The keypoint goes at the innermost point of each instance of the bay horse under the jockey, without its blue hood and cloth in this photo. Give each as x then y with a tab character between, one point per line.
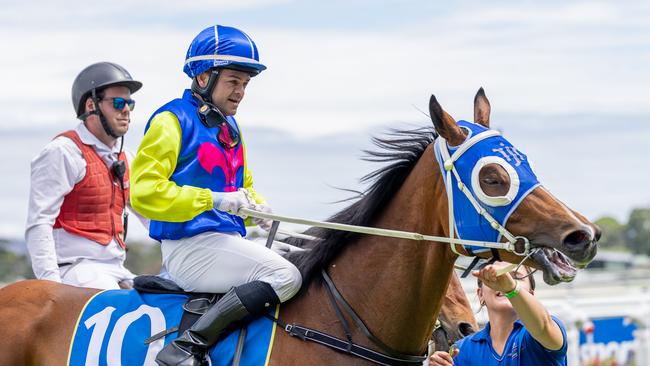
394	285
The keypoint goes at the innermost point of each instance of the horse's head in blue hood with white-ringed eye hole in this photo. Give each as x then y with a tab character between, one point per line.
496	197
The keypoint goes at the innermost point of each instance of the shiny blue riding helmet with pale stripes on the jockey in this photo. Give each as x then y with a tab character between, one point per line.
222	47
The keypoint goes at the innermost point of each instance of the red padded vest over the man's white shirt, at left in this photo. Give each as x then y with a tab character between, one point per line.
95	206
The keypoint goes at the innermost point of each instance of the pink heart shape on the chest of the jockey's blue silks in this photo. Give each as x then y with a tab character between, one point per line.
228	161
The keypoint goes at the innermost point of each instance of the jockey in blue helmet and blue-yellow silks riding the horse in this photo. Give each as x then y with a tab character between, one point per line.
190	178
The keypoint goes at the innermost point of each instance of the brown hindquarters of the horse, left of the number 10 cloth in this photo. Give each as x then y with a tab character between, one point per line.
37	319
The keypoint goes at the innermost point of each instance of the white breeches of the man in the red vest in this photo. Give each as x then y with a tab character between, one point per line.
102	274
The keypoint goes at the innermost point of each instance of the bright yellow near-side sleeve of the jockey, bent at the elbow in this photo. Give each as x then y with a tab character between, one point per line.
152	193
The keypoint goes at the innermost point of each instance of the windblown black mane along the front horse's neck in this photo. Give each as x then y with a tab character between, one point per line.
401	149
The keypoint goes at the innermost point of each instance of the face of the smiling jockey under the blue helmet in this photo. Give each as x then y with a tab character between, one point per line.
229	91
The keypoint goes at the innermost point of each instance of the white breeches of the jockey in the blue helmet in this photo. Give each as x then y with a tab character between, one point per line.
214	262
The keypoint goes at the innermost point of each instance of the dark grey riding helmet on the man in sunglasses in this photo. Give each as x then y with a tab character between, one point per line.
96	76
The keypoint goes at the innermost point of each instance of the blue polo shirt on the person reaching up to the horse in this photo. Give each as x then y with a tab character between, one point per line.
521	349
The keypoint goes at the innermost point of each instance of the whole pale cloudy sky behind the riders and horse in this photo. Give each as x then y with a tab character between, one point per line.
568	83
